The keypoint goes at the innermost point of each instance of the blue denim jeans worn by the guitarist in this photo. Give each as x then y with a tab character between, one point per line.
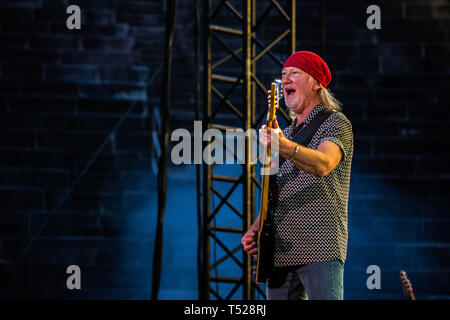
313	281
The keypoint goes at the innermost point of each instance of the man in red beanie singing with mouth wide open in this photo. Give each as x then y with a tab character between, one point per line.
309	202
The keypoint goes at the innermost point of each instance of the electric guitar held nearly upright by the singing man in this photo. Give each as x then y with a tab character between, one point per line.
266	232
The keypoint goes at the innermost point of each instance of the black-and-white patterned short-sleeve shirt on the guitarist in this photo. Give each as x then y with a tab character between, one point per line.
310	213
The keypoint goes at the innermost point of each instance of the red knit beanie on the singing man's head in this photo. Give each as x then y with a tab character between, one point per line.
312	64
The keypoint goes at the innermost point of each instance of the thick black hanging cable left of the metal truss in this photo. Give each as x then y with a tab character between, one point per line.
164	141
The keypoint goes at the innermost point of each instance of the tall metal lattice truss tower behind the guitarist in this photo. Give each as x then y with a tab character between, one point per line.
236	34
